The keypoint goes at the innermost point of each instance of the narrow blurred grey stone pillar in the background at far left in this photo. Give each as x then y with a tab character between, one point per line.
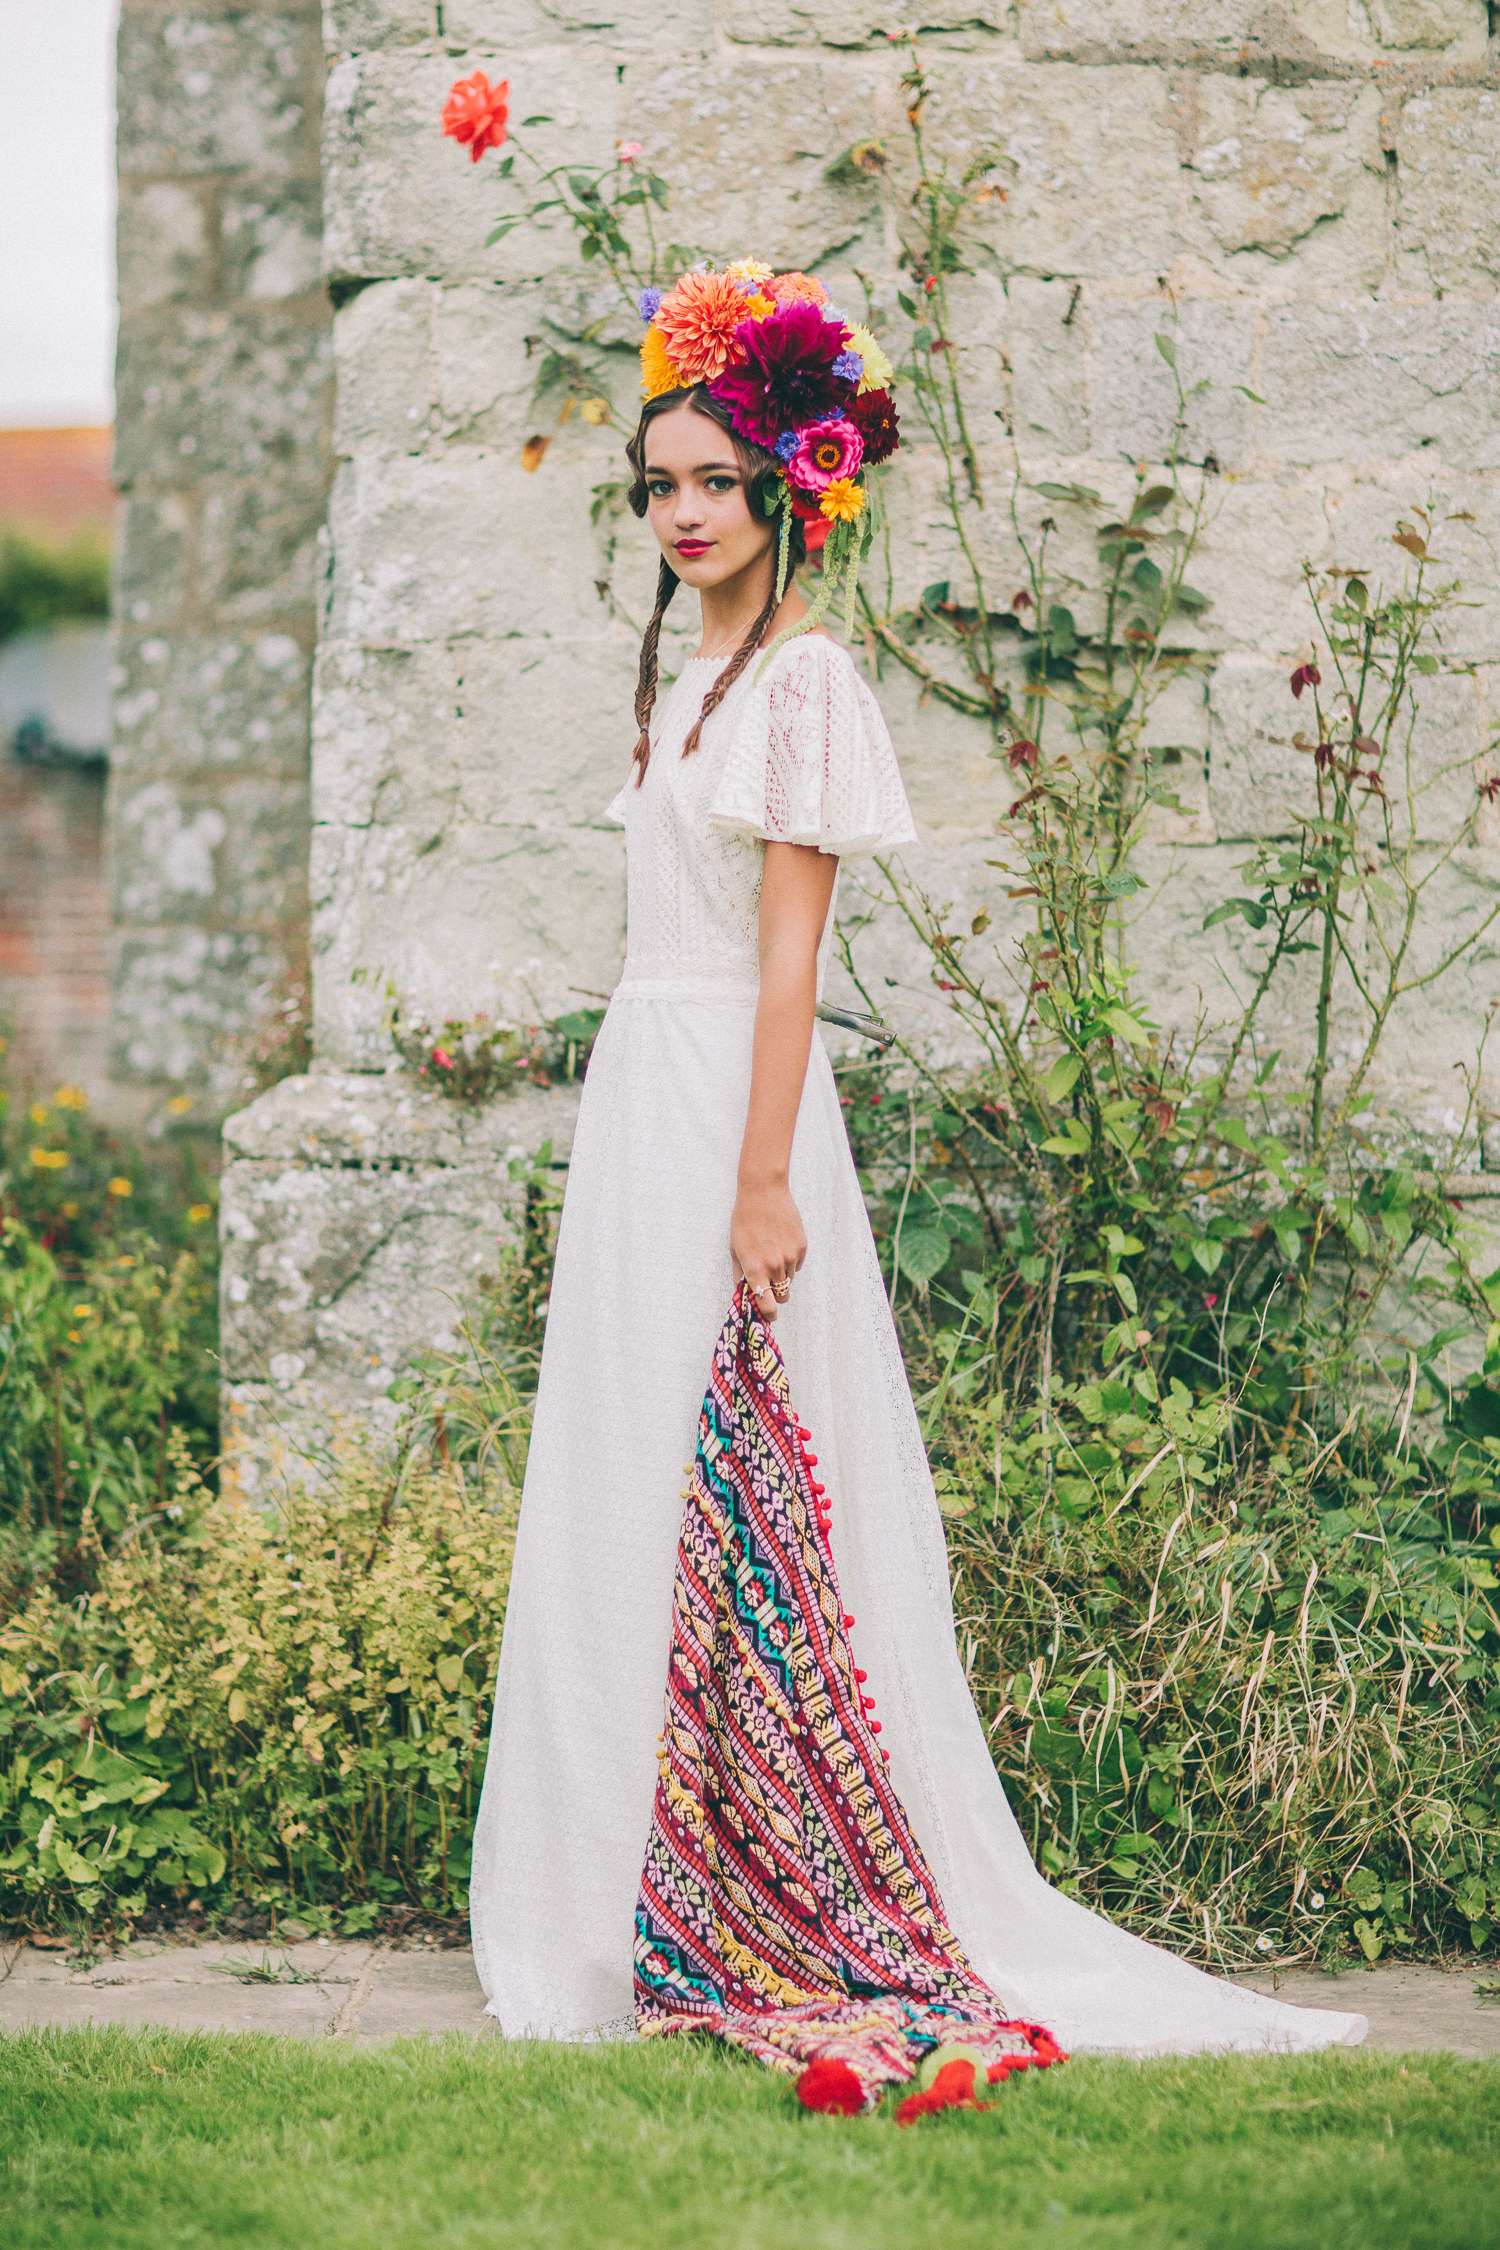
222	456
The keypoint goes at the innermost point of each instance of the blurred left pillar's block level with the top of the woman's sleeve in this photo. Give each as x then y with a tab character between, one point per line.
195	705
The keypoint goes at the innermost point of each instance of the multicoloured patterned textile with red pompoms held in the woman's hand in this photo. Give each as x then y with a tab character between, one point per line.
786	1905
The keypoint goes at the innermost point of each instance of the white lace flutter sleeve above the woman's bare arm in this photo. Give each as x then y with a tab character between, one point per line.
811	759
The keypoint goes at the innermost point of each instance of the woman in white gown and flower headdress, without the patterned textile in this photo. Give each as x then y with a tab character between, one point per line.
712	1160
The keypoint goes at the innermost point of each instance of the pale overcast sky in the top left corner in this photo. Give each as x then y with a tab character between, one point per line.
57	213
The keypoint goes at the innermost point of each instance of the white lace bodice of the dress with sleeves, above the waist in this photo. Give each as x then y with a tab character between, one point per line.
799	755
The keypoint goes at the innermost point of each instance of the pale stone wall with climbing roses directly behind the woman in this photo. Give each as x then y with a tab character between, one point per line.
1305	190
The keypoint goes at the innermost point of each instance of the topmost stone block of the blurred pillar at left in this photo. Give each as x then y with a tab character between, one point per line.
219	93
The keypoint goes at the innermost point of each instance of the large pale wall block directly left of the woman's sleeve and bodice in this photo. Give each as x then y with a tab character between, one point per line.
473	730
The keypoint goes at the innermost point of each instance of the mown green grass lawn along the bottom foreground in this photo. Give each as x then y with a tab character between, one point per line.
114	2141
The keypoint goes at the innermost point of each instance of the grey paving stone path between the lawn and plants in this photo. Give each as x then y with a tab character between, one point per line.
370	1992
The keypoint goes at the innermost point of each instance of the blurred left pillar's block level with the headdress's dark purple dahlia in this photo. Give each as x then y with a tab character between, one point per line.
213	390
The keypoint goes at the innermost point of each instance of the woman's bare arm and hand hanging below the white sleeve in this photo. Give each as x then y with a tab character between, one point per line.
766	1232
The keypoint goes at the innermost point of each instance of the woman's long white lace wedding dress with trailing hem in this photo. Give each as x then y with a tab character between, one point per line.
642	1286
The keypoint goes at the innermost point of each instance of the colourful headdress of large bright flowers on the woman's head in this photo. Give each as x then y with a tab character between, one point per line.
799	379
